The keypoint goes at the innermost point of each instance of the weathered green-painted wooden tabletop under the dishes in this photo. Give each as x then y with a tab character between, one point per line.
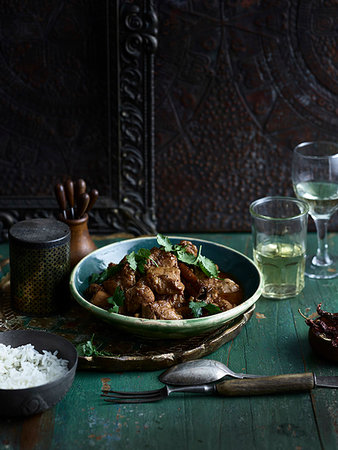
273	342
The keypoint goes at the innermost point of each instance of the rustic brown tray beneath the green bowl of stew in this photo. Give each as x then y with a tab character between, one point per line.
128	353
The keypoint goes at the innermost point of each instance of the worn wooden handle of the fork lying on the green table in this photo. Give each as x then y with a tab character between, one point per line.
267	385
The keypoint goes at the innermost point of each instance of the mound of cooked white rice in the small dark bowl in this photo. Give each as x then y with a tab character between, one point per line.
24	367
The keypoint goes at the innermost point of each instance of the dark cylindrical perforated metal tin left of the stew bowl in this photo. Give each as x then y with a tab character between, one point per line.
39	266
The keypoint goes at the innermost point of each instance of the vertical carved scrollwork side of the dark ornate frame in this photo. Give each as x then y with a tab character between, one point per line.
138	44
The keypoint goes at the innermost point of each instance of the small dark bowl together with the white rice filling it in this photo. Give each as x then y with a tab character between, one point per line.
37	369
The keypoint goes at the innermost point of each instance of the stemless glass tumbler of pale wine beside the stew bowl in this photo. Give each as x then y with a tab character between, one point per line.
279	228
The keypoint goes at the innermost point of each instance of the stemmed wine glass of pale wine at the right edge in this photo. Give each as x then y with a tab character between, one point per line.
315	180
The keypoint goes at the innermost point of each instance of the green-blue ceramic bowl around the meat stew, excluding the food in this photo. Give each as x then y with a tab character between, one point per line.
243	269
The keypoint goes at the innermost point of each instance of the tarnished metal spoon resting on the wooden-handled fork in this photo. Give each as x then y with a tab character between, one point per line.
199	371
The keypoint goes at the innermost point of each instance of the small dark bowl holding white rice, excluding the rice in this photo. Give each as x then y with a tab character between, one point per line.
34	400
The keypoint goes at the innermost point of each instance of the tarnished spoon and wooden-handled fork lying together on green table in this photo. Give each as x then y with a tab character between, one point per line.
209	378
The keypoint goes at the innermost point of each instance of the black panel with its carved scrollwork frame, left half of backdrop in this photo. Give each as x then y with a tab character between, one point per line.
76	89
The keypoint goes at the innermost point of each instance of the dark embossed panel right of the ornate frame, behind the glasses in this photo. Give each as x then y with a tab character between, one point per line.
238	85
